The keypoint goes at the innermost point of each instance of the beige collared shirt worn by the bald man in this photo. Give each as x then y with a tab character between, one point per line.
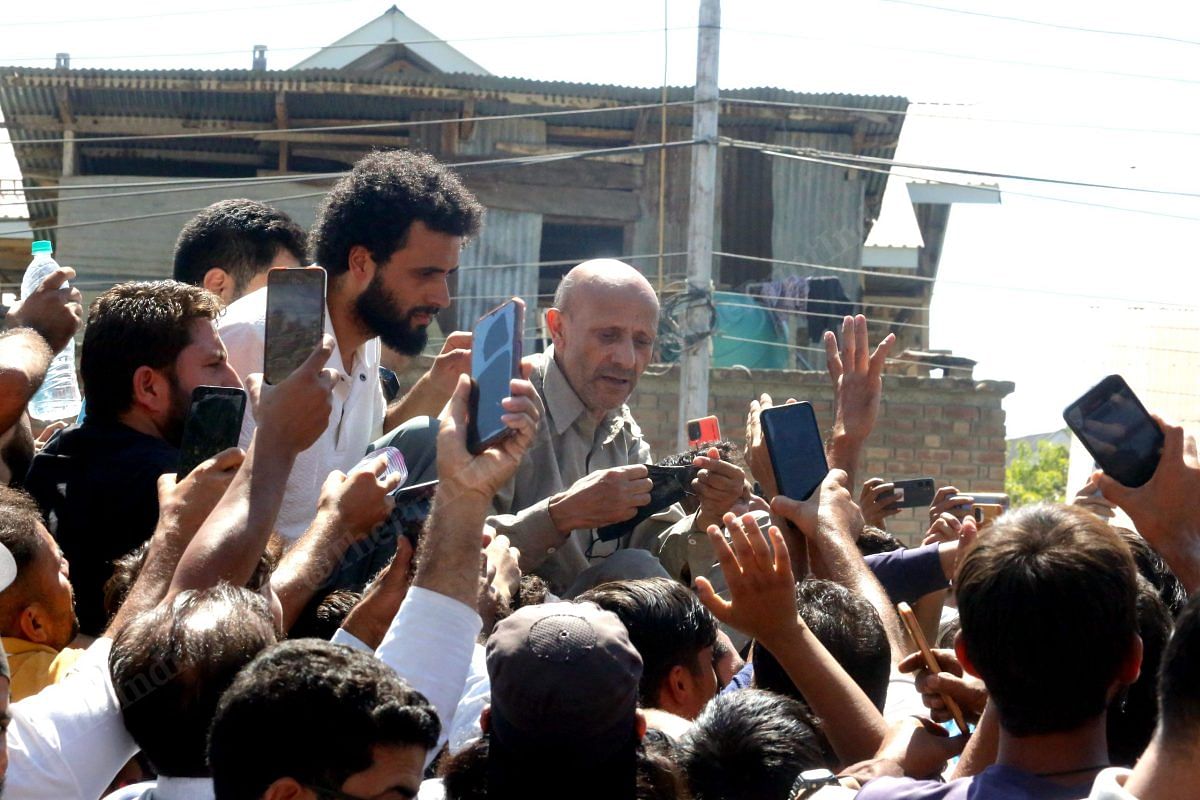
569	446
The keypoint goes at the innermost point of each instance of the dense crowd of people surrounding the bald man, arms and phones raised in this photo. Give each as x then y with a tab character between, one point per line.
218	634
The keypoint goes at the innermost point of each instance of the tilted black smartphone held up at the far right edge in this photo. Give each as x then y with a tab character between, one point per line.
1118	430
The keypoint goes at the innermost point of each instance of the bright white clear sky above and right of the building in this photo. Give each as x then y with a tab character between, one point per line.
1029	288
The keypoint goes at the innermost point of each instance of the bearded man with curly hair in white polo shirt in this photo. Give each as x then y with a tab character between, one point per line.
388	237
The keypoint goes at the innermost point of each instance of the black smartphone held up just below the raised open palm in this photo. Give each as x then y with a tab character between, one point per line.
796	449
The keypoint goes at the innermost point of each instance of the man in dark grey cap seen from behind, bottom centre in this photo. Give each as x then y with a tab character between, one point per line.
565	717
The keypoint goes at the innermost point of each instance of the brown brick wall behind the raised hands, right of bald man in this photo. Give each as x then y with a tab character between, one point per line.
950	429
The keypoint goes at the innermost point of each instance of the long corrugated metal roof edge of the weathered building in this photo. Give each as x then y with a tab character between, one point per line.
249	97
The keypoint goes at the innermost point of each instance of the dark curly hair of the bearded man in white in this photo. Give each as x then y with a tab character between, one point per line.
379	202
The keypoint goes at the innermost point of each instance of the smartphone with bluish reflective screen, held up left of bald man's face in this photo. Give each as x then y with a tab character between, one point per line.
495	363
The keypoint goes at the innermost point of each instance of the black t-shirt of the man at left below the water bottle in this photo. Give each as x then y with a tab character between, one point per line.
98	488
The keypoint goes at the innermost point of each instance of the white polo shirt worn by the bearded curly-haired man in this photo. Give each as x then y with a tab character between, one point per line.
355	423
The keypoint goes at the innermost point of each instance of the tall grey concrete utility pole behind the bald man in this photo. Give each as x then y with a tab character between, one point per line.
694	362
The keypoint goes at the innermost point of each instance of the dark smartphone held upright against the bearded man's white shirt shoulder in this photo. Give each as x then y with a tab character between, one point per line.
296	320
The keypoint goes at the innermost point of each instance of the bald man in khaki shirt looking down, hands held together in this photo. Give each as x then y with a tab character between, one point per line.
587	466
